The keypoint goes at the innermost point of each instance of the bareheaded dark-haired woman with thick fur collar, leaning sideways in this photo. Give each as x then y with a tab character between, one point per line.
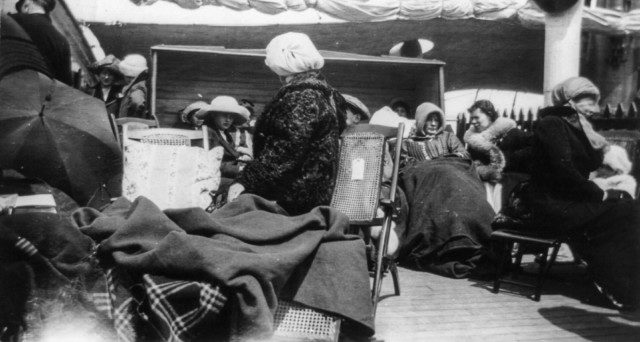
496	146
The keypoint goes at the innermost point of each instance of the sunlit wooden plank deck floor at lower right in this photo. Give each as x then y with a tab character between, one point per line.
435	308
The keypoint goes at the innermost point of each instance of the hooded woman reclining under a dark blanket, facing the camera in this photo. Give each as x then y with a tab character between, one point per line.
449	222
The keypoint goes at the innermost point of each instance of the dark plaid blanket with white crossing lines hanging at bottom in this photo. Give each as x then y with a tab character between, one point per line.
157	308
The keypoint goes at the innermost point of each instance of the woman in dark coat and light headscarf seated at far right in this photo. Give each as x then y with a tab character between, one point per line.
561	197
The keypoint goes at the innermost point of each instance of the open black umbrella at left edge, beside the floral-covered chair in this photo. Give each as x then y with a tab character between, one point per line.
58	134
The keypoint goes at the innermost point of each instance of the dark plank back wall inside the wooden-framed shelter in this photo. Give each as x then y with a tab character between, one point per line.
187	77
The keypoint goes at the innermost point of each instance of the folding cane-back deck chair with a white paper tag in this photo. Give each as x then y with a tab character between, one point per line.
357	193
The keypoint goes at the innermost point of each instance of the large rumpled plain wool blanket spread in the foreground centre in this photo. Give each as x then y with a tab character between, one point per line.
251	247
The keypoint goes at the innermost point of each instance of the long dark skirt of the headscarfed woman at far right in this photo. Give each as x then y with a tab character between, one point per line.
605	234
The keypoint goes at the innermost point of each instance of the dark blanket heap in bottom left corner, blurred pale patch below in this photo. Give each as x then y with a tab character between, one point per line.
47	276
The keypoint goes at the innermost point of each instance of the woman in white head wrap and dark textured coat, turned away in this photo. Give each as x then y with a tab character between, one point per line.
296	138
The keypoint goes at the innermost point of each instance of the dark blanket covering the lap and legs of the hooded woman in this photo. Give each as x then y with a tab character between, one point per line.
449	221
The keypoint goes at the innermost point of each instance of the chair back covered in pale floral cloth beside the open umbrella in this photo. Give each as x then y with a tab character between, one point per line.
162	165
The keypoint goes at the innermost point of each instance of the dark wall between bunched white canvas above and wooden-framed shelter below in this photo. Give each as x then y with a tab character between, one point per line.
478	53
